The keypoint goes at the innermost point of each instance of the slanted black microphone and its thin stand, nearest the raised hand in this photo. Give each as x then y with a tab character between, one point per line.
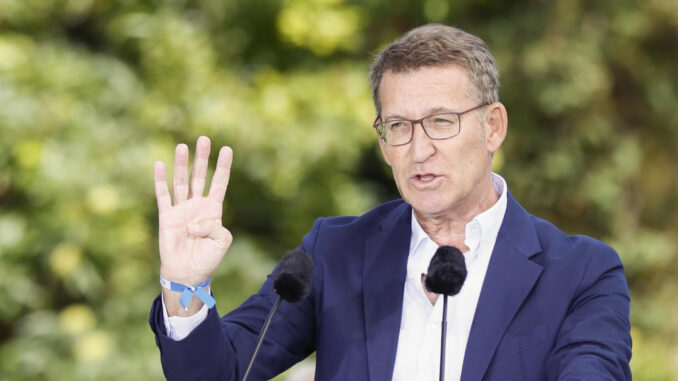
292	283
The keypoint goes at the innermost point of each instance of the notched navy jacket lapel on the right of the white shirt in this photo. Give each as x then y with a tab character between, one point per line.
510	277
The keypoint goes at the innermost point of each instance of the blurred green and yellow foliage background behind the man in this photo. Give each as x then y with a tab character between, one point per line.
92	92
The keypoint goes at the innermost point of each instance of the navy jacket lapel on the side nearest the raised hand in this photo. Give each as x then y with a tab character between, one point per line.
384	272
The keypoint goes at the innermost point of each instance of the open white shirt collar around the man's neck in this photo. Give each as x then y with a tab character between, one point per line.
484	227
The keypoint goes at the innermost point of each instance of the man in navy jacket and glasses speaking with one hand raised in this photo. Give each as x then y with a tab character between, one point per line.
536	304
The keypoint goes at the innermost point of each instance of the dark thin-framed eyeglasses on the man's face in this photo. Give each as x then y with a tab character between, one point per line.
437	127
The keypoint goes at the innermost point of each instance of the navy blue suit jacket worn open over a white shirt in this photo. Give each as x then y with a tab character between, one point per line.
552	307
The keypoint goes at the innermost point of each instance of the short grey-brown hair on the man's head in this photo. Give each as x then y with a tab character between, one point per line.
439	45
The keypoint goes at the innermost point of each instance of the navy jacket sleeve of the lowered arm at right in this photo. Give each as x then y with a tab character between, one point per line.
594	342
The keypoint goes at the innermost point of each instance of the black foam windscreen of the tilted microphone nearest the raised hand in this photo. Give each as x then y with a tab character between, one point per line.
293	279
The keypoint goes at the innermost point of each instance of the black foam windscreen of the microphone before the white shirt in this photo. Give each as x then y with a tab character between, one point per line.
446	272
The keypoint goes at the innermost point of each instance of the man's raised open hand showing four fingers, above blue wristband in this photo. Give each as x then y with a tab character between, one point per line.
192	239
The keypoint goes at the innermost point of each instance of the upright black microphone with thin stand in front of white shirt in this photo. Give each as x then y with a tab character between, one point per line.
446	276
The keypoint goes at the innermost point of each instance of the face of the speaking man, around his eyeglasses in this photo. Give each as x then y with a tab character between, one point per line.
438	177
